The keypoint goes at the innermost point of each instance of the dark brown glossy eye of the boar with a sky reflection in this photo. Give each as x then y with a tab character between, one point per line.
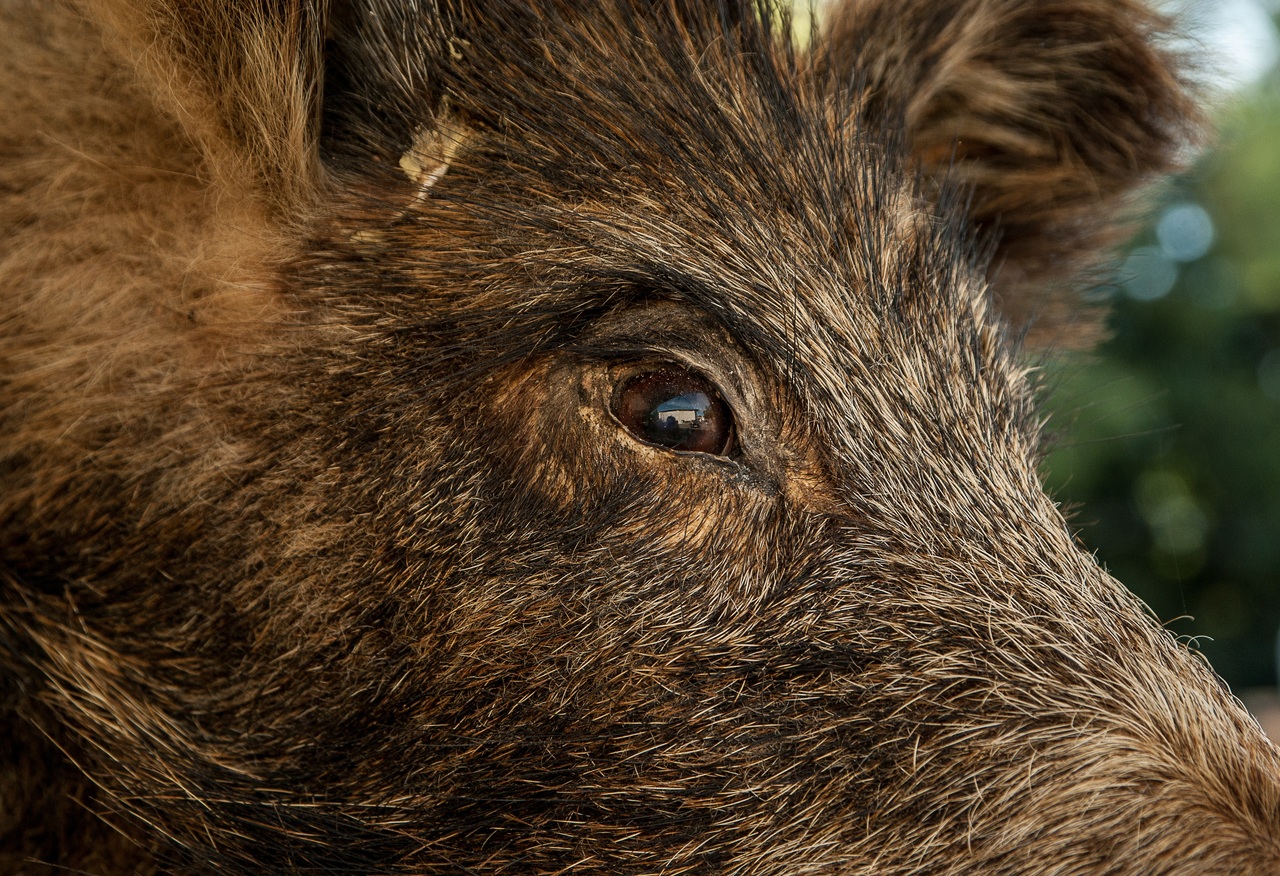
675	409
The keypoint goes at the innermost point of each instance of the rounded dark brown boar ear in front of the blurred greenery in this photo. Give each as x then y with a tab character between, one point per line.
1054	113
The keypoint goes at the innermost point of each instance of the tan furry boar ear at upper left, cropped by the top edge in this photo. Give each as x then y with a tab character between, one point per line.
241	77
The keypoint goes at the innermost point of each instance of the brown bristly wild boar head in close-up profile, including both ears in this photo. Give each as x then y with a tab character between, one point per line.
559	437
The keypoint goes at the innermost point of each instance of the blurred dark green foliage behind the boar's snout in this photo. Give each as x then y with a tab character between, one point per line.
1171	434
